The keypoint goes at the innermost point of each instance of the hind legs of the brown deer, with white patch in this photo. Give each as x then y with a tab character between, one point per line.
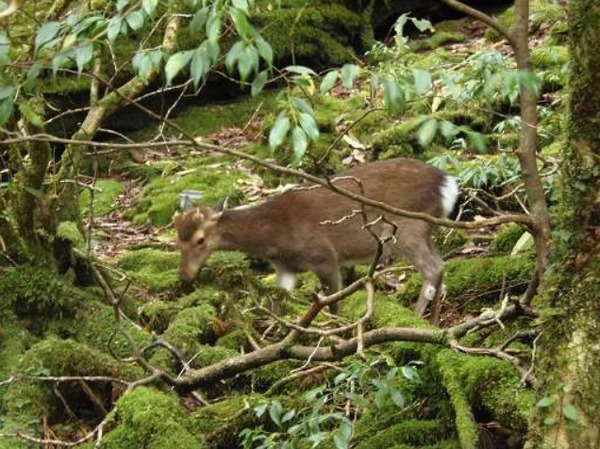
418	249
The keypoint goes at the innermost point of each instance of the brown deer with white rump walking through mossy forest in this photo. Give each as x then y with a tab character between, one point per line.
311	228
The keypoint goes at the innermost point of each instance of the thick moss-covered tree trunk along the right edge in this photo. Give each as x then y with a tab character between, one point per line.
569	360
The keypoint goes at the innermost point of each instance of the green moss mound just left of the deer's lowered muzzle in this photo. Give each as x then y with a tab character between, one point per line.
156	270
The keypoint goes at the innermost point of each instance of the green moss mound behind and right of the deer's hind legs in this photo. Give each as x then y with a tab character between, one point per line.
478	278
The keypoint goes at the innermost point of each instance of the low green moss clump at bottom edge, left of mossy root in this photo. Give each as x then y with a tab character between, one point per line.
411	432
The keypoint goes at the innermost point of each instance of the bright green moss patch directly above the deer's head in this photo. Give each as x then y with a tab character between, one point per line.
160	198
